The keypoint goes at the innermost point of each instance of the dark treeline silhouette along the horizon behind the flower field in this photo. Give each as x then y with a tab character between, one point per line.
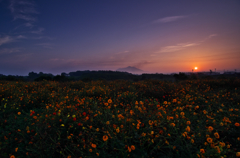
87	76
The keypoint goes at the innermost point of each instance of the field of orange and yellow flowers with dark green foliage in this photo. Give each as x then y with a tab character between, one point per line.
198	118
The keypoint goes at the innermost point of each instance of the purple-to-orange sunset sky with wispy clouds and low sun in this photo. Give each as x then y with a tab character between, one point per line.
156	36
